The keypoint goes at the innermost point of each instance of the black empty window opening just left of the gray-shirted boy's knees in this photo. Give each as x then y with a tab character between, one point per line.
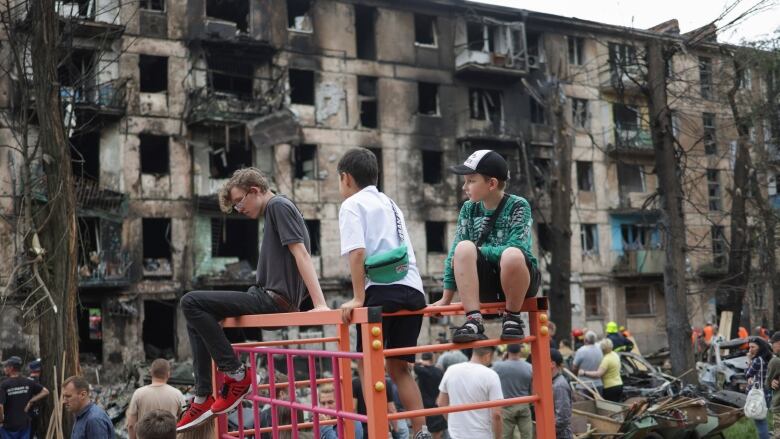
159	329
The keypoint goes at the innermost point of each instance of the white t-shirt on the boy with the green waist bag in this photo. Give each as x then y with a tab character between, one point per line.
366	220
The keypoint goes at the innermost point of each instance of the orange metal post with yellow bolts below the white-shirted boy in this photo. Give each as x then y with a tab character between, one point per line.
374	387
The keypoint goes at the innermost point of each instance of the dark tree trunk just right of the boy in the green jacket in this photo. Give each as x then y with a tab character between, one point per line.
560	228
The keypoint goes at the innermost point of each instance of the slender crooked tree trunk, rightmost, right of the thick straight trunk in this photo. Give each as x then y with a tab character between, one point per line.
730	294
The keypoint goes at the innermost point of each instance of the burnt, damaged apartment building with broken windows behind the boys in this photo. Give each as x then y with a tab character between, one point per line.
181	93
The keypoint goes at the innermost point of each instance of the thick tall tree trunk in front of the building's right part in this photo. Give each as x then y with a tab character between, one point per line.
670	189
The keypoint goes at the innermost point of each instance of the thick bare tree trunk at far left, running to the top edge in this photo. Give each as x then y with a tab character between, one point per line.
56	220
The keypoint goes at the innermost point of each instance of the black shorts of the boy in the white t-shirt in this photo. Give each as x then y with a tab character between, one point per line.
401	331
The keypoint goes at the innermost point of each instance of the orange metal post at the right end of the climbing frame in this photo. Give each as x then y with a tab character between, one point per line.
542	382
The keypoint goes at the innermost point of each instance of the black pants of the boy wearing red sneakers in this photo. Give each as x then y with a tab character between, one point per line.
203	311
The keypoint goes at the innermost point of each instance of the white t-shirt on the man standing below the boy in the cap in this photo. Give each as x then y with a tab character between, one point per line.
467	383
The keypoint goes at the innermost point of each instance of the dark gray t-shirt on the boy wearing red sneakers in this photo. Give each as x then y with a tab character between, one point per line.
276	267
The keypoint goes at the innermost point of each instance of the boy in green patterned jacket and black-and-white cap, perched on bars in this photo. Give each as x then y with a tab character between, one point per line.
495	266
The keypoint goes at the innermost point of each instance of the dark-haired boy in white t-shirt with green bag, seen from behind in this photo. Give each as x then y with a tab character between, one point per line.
369	223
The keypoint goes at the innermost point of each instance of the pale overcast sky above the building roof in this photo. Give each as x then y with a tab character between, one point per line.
646	13
